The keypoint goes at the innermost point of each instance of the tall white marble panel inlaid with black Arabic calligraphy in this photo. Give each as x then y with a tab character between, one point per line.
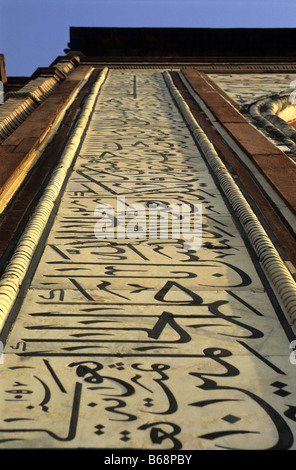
135	341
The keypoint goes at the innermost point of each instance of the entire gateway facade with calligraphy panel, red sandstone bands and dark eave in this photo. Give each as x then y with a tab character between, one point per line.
137	342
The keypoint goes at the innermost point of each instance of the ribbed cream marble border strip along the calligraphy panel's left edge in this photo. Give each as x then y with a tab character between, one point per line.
16	270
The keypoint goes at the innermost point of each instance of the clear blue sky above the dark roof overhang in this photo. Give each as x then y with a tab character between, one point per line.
34	32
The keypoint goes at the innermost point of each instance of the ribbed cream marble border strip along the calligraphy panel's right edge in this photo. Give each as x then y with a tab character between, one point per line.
274	267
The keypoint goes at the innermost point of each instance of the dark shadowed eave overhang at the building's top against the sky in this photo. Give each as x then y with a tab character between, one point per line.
176	45
